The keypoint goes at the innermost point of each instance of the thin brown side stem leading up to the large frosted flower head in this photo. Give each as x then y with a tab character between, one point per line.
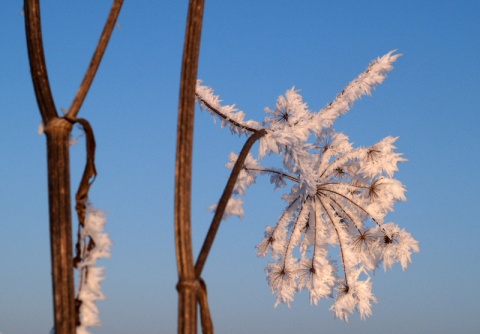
222	204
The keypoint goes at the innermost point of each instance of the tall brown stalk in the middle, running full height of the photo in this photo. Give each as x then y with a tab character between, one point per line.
188	285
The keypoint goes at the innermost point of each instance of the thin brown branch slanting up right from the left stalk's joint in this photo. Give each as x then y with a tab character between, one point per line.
96	59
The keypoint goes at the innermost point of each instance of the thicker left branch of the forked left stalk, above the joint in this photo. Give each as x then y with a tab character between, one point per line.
38	68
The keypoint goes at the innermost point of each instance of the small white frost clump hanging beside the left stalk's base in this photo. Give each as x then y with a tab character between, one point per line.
95	244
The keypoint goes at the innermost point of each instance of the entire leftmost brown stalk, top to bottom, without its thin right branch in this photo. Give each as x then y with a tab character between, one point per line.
58	135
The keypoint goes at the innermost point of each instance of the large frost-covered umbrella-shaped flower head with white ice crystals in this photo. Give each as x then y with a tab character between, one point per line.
339	198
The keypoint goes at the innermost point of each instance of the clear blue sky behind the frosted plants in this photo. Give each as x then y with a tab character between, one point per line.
252	51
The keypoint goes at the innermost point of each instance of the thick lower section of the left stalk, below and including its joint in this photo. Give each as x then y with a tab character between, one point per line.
58	136
